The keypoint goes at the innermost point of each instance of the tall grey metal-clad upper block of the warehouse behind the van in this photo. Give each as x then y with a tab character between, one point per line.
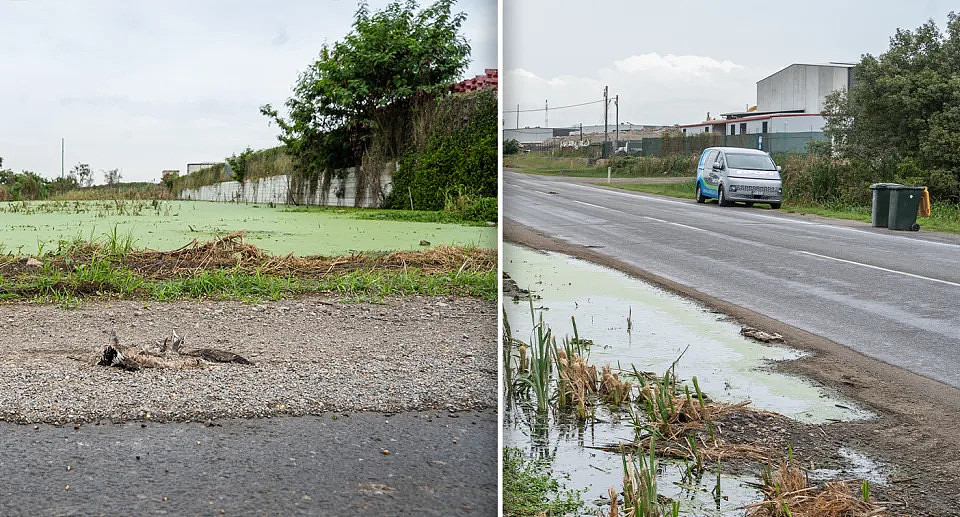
800	87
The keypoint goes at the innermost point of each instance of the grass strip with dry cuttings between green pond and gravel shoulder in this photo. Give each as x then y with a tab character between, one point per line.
102	278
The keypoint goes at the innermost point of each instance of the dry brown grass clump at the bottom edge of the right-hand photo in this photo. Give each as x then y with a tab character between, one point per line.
787	494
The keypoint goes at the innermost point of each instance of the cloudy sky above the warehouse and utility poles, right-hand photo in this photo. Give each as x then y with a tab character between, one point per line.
671	62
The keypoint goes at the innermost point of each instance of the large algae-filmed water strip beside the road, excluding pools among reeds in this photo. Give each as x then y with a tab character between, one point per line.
730	368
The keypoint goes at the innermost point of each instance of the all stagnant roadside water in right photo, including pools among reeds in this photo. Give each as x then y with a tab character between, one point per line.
729	368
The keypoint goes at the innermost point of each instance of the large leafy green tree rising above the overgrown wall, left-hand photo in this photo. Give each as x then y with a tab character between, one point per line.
367	83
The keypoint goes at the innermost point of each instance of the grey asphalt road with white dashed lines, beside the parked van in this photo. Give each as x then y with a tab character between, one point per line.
894	296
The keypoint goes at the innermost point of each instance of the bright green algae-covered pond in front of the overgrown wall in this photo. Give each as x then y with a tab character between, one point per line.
168	225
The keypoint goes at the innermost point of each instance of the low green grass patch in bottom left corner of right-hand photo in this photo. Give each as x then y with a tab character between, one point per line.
529	488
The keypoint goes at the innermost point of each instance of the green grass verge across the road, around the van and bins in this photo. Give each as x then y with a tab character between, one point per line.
945	217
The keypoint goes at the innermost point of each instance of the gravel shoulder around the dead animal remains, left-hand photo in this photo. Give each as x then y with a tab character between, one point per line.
311	355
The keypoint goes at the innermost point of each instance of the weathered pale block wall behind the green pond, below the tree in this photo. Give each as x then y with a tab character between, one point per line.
278	189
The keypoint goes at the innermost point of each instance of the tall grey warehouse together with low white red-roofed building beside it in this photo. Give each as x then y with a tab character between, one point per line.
788	101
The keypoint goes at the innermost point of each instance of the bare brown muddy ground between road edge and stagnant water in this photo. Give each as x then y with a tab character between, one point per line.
915	434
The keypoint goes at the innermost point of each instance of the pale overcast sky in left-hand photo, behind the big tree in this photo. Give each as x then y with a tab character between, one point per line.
144	85
